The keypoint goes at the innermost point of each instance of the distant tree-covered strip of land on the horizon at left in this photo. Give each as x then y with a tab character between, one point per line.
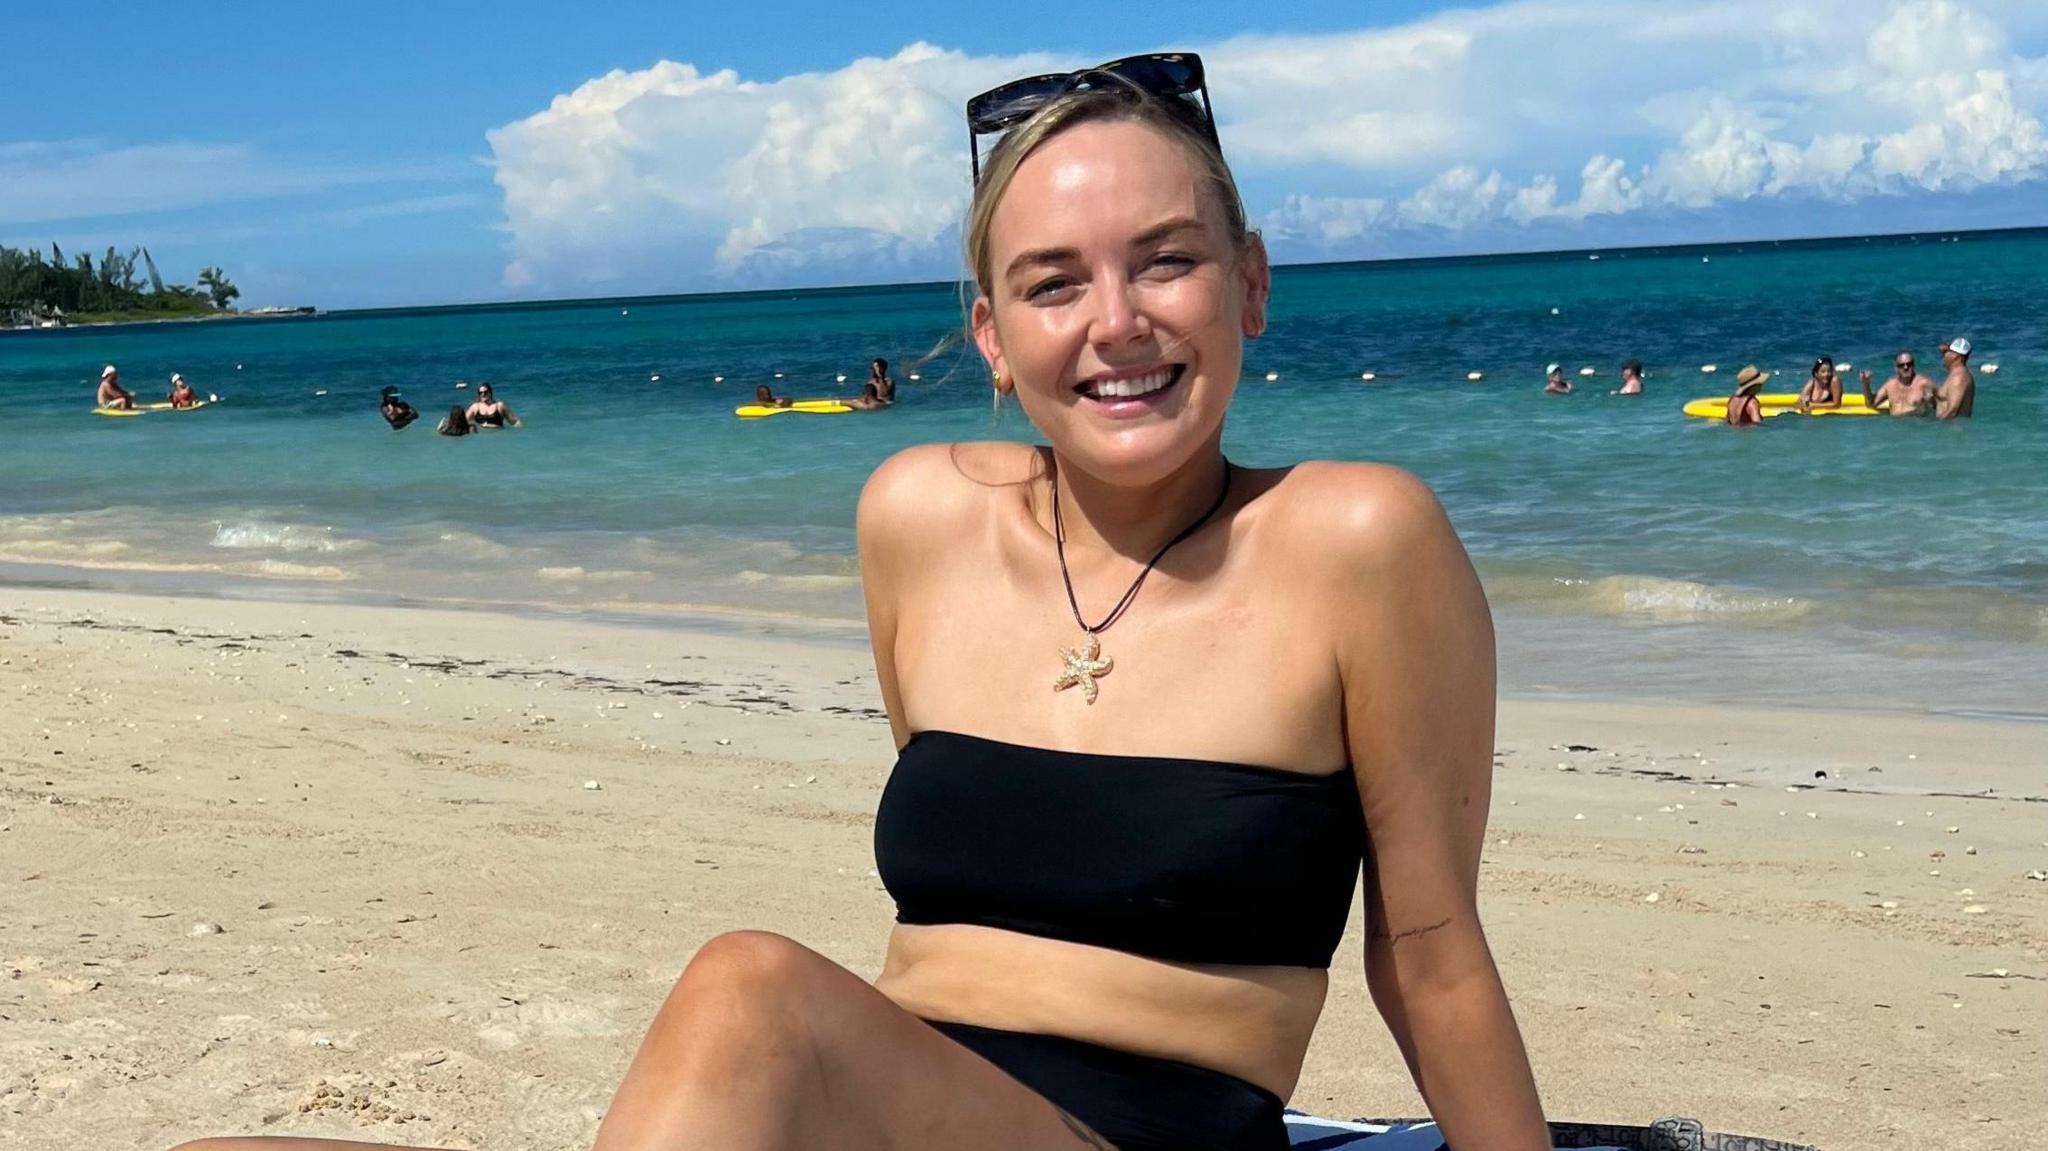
116	290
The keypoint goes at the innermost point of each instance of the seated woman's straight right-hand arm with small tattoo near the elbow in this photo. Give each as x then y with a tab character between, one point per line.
1418	695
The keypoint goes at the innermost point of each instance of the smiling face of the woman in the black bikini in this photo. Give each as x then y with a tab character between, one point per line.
1119	304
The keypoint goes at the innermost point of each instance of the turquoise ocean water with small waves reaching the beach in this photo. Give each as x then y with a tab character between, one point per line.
1627	550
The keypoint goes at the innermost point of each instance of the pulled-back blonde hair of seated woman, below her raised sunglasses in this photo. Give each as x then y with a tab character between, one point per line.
1097	105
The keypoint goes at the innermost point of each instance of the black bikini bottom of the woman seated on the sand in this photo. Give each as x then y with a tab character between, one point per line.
1134	1101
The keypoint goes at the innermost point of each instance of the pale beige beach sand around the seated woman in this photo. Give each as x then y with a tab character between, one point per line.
419	876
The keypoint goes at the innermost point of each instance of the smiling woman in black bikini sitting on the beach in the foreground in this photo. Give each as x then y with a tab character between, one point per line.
1121	839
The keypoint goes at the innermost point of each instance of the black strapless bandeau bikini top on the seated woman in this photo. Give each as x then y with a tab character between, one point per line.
1189	861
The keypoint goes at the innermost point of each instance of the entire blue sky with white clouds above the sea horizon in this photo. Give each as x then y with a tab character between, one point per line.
384	155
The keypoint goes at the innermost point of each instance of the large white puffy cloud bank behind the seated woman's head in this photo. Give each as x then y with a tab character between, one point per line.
1525	114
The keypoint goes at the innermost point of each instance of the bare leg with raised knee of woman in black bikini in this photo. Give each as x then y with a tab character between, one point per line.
767	1046
